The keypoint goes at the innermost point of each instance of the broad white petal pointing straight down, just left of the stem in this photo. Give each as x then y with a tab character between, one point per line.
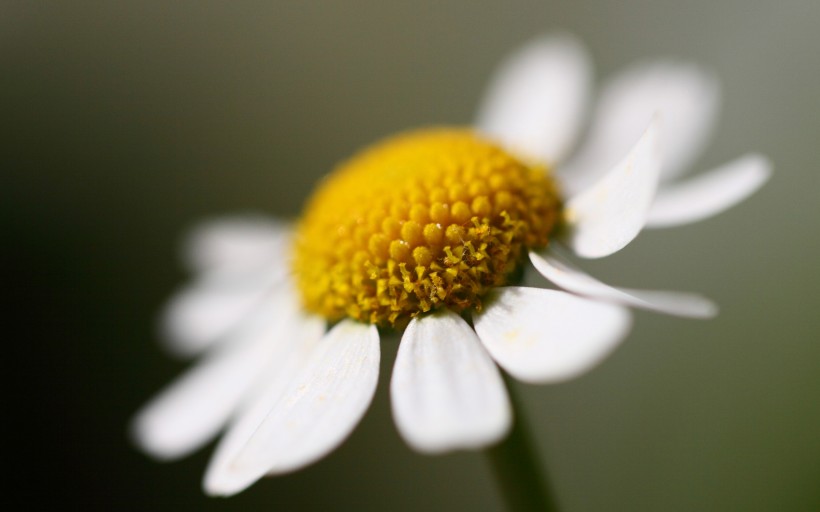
446	392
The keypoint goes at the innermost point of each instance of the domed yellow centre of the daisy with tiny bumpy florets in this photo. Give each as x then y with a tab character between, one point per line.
420	221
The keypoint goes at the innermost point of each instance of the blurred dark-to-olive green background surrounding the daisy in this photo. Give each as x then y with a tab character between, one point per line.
124	123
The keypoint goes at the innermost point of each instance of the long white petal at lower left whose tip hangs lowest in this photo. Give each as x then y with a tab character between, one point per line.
315	412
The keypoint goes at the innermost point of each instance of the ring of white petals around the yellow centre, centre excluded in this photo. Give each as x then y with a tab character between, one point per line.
289	391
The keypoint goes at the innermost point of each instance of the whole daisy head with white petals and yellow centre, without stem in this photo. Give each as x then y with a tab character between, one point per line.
427	233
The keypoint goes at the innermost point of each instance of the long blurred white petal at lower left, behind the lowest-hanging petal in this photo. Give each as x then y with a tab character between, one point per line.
194	408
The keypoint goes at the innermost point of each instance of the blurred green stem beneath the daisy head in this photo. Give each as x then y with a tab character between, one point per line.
516	467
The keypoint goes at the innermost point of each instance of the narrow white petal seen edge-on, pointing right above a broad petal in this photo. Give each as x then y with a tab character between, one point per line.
572	279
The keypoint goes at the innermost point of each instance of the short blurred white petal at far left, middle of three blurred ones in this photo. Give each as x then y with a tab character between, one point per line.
205	312
